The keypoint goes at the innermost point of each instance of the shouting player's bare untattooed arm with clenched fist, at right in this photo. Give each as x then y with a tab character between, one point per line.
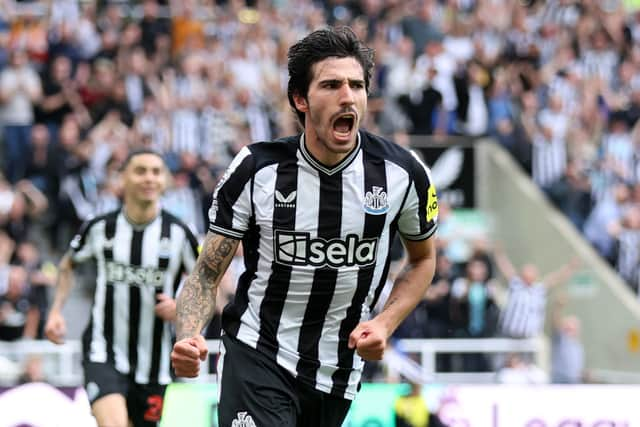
370	338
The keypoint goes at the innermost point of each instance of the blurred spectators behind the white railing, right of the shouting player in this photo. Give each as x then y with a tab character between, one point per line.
469	299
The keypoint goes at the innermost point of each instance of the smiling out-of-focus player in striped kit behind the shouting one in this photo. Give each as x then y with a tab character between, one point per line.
141	254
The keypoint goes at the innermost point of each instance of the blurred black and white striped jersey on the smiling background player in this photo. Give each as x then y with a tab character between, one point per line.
134	264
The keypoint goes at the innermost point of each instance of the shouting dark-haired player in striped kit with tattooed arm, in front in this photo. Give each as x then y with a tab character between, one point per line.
316	214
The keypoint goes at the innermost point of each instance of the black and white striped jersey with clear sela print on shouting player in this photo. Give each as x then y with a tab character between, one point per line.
316	244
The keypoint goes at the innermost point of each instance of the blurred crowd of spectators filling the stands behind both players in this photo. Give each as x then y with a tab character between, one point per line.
82	82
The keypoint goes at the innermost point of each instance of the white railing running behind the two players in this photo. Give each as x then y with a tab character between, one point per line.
62	362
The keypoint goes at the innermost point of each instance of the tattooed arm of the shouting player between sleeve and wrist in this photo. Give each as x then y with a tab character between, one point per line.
196	303
